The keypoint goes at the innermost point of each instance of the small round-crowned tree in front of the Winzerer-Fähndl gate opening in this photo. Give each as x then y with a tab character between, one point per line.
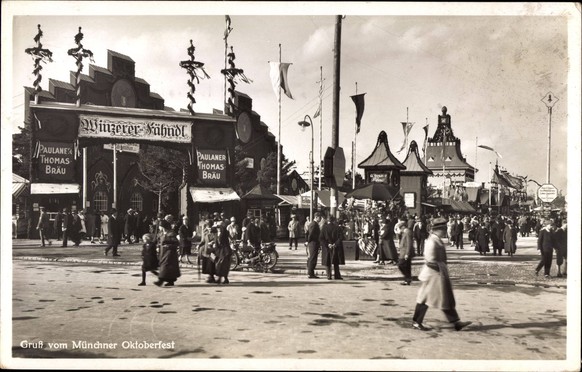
163	170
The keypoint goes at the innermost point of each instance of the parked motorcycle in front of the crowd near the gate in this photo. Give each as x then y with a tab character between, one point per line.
260	259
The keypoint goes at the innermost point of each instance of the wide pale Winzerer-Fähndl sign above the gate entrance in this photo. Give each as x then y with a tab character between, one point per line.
97	126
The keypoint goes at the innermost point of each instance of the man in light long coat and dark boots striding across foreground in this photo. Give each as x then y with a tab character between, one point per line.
436	289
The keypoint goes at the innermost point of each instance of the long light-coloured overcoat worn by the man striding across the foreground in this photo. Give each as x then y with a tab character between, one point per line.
435	289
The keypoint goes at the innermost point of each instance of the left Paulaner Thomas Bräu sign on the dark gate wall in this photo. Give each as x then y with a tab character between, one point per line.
56	161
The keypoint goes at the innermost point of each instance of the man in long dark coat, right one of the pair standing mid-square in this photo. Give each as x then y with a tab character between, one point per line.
332	250
